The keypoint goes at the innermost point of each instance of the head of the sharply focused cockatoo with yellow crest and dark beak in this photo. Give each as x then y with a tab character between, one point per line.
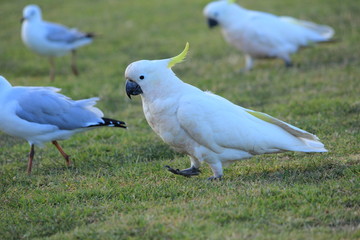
145	75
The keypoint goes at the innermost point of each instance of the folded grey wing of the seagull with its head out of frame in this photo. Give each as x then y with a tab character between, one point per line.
45	106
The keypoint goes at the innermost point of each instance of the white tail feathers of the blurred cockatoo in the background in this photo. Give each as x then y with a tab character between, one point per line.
325	31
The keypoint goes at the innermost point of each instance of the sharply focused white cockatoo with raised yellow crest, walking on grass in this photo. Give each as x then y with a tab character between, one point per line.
205	126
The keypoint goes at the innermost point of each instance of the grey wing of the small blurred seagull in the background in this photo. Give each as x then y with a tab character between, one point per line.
60	33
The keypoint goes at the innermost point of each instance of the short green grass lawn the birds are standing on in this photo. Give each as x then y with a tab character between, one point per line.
118	188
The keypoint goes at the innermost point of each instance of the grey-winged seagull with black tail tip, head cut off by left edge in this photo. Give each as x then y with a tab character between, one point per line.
40	114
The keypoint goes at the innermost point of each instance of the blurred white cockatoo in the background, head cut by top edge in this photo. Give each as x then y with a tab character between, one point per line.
264	35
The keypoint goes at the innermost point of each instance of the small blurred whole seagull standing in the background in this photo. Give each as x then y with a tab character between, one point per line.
51	39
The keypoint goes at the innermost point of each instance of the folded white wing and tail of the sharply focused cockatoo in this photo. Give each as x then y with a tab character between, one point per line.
218	124
